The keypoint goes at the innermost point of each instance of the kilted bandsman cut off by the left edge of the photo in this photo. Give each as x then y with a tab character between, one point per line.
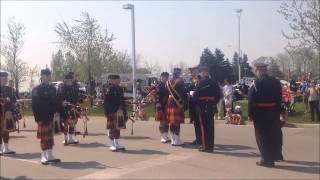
7	98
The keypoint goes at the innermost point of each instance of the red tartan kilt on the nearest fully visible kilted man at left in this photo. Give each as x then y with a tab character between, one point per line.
45	134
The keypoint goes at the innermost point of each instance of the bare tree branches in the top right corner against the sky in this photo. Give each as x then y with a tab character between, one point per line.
304	19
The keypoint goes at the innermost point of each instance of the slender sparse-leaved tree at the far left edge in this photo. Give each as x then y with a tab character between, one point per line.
11	49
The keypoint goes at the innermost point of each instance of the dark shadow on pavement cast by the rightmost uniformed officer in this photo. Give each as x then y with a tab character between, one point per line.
300	166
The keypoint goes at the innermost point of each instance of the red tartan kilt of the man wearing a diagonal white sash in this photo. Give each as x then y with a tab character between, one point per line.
175	114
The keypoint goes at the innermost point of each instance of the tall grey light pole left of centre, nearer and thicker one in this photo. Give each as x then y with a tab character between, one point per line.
131	7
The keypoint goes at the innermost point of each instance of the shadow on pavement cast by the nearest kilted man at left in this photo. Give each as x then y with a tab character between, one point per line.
80	165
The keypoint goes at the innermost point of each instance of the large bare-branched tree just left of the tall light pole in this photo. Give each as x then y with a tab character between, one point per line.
91	47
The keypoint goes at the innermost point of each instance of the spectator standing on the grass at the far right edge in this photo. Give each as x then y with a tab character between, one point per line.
313	100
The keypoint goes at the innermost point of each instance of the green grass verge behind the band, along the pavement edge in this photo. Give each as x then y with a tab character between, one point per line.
298	117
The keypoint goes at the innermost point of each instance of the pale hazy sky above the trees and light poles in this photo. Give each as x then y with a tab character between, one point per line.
166	31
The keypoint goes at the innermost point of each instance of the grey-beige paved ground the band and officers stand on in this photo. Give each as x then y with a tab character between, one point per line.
234	158
